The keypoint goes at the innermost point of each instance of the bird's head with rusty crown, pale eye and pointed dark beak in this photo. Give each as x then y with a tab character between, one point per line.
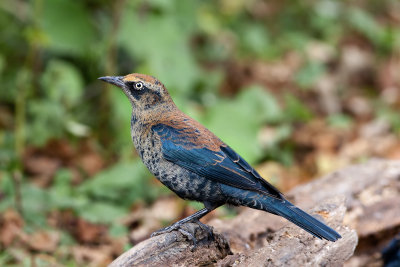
144	92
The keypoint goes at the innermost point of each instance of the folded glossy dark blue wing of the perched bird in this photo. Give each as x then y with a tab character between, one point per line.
223	166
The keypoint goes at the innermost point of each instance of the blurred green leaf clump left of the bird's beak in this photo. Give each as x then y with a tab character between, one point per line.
62	92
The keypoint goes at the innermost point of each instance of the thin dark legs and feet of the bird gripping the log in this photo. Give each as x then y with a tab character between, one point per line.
192	218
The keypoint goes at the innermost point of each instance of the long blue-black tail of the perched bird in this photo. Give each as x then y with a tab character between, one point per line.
304	220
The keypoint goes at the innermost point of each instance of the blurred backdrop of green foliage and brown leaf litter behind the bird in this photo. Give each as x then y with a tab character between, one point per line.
298	88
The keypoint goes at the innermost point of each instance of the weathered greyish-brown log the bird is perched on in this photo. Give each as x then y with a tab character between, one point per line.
254	238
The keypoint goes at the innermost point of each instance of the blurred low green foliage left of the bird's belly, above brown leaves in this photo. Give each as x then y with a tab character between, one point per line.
102	199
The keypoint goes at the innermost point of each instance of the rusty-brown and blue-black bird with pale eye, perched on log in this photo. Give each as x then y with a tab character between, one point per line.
197	165
